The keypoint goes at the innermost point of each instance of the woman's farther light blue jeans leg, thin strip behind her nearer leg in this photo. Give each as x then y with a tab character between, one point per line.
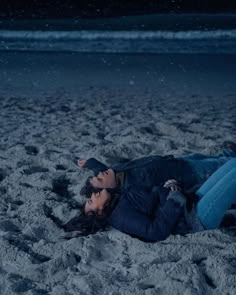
215	177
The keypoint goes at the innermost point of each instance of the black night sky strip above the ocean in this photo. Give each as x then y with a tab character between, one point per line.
107	8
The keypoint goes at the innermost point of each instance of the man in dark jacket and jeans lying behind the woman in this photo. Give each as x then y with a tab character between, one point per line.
190	170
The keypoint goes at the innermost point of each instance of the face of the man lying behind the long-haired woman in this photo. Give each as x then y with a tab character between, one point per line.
104	179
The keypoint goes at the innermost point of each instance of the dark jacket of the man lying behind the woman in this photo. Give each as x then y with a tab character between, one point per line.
150	171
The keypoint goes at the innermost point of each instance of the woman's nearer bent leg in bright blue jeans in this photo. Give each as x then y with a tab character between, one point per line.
212	207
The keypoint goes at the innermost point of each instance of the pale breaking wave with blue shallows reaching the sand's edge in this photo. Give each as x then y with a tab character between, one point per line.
206	41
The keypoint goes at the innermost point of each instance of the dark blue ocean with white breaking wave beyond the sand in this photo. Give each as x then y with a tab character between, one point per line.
205	35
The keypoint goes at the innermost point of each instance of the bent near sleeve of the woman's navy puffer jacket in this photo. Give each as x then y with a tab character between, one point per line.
154	229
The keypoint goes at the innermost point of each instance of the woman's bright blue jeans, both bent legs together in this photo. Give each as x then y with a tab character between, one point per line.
217	195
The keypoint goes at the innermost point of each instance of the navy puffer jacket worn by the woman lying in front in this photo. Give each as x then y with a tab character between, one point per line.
148	215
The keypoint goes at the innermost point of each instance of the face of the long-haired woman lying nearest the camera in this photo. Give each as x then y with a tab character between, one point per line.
97	201
